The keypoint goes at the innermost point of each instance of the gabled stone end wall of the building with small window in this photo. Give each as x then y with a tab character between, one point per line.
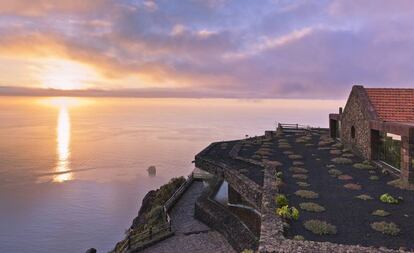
354	115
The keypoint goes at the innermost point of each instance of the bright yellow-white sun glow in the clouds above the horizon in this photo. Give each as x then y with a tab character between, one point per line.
63	74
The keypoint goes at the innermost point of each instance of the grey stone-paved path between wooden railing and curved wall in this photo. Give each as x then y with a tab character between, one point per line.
191	235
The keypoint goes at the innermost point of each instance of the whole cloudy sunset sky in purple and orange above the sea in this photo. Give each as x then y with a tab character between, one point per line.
208	48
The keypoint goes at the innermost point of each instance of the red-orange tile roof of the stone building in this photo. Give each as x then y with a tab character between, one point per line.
393	104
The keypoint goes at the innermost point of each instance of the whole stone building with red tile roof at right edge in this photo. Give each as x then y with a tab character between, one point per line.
378	125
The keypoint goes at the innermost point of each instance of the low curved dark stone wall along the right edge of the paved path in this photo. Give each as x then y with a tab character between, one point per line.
222	220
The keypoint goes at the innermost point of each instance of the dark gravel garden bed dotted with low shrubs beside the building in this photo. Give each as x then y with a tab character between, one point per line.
339	194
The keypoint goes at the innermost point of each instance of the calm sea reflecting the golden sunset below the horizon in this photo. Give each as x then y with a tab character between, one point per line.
73	170
